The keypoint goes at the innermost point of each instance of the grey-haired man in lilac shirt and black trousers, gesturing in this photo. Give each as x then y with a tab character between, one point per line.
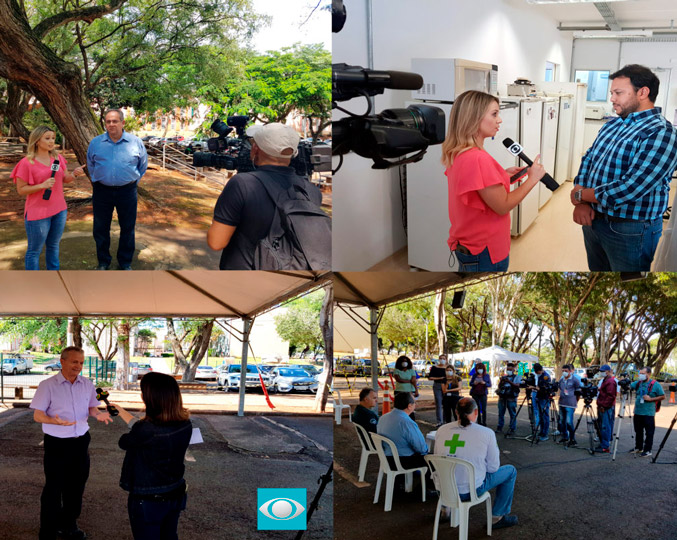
63	404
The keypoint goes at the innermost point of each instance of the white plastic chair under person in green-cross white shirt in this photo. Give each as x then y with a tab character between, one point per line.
444	467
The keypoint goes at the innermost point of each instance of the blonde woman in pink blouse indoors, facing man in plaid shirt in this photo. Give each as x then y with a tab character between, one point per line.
479	188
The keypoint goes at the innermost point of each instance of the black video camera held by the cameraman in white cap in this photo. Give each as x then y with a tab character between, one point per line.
233	153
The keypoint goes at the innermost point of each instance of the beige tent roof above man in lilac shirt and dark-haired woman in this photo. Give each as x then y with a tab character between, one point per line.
190	293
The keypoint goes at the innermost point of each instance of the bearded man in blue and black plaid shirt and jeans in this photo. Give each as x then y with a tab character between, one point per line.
621	189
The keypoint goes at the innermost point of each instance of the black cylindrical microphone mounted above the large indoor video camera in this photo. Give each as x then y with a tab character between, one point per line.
352	81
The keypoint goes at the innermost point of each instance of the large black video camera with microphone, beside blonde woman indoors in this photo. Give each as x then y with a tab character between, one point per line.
391	134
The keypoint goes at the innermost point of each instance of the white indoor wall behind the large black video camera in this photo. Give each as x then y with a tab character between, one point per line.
367	209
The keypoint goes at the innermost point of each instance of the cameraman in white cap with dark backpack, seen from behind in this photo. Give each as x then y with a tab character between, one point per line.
270	218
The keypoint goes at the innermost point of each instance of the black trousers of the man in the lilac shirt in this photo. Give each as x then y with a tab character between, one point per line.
66	466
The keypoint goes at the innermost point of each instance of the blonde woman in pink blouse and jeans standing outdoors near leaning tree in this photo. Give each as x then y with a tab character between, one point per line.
45	211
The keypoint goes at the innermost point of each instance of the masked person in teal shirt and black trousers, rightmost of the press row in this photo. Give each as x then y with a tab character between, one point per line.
649	395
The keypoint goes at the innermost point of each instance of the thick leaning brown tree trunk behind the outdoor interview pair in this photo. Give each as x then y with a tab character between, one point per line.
26	61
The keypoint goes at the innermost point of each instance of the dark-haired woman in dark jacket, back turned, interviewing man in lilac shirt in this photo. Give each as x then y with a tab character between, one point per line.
153	467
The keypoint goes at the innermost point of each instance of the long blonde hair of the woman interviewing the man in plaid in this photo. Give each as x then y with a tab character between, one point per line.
464	123
